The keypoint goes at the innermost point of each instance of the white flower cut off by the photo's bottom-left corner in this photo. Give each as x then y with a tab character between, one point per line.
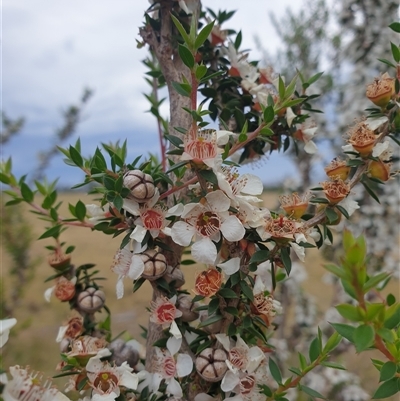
26	386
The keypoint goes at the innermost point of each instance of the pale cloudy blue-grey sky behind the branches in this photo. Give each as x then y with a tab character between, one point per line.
52	50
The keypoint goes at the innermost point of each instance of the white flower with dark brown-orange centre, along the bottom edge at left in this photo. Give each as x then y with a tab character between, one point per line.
106	379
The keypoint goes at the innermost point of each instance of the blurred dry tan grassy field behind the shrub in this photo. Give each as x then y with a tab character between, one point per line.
32	341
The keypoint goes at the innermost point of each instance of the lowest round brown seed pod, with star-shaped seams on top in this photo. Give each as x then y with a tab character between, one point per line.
211	365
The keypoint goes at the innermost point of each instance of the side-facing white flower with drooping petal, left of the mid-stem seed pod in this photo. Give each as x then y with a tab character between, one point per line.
126	264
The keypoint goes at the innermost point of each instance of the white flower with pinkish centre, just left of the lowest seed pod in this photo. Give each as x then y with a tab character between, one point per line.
170	364
